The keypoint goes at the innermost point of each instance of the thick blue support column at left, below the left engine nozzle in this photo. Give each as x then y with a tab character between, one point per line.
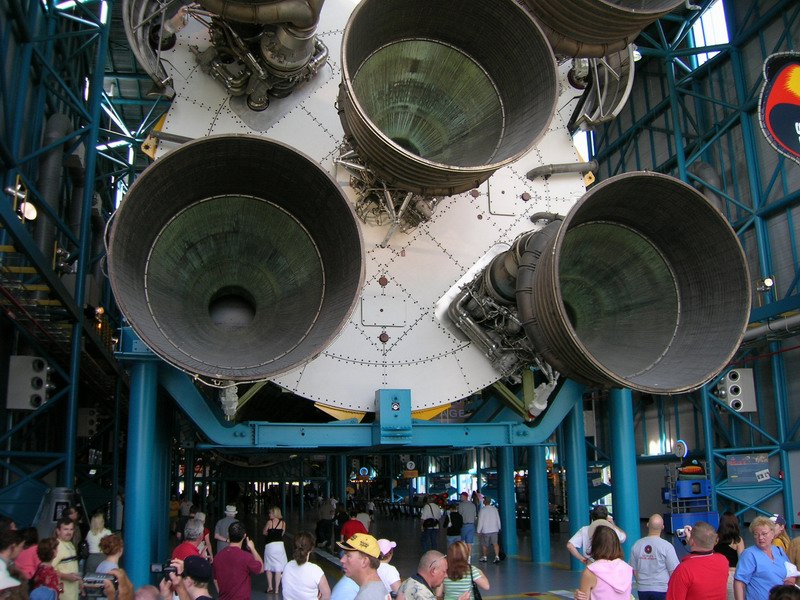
139	476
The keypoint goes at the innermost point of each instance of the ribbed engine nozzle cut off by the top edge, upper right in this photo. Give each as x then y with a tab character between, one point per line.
596	28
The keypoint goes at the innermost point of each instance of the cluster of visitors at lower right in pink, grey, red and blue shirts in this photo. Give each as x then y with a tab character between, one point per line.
716	567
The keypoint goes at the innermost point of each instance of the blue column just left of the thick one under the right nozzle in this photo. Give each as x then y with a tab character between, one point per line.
575	461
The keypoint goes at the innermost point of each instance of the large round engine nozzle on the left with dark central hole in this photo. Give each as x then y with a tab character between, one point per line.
236	272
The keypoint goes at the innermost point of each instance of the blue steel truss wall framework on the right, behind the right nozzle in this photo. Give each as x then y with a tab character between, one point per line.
685	116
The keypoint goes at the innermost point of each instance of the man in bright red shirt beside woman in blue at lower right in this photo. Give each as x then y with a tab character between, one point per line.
703	574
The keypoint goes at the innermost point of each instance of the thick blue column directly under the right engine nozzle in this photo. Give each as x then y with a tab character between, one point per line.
624	481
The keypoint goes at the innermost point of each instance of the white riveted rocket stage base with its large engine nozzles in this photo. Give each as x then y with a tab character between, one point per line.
344	222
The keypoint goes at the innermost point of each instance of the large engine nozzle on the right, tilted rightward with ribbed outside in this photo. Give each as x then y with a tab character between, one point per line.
644	286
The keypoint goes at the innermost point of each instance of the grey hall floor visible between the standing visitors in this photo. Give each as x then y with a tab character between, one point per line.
515	577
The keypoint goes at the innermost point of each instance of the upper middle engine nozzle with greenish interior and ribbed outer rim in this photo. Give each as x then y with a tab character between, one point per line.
436	96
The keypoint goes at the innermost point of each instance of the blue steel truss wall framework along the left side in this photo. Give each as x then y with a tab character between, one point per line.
55	56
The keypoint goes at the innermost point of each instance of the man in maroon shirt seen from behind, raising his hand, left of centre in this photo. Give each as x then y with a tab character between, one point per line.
233	565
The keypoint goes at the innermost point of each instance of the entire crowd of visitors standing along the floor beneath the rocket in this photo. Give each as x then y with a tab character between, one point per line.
717	565
